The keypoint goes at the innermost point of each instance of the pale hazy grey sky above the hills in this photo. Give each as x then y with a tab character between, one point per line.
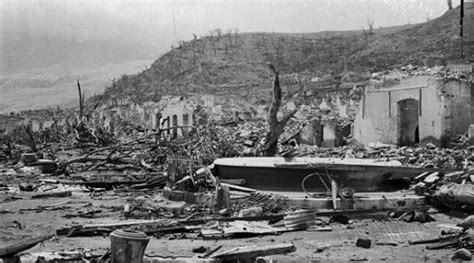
170	21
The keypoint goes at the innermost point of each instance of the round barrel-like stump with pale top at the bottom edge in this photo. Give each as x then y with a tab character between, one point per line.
128	246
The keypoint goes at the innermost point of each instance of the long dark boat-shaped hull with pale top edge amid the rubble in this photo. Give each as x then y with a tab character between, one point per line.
287	174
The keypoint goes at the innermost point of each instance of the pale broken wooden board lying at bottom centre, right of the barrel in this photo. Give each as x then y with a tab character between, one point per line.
250	252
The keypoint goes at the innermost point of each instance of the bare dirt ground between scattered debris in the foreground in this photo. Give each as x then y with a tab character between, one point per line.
21	218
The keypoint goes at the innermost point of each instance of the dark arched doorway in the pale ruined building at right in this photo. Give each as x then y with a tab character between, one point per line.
408	127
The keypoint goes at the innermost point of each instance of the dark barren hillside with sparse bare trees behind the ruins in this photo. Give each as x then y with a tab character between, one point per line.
234	60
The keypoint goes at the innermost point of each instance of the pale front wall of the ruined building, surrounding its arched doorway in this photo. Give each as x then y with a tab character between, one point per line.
378	119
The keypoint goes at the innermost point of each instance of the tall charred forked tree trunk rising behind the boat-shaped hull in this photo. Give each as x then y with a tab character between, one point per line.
276	126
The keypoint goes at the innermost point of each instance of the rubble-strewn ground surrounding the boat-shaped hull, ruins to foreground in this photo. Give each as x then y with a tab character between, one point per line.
91	185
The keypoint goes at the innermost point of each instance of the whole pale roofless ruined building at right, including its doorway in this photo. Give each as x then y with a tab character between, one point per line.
415	109
